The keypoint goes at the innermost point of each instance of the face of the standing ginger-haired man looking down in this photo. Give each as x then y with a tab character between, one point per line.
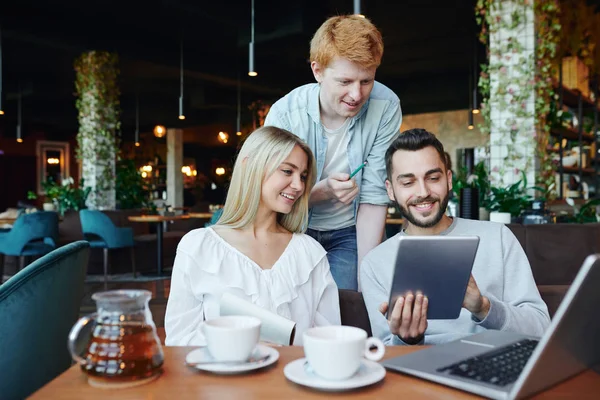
345	88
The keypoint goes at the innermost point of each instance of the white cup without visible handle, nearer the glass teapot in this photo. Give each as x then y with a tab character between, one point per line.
231	338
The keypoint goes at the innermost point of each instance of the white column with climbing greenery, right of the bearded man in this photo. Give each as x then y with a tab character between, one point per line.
512	144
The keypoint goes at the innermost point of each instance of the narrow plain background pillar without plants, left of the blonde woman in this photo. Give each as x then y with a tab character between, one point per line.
174	164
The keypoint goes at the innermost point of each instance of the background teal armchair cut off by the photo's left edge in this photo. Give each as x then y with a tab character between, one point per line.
32	234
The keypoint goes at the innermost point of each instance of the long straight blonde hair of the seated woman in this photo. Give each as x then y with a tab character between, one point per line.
260	156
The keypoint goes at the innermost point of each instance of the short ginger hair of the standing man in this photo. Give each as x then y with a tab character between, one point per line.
349	36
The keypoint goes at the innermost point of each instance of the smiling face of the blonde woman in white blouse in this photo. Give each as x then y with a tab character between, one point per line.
285	186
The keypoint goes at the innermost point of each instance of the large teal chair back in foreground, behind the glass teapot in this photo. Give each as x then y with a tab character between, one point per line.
38	307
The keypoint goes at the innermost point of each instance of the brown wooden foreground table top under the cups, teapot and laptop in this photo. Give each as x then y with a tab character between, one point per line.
180	382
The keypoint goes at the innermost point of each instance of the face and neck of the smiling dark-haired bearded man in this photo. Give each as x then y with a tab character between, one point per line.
421	185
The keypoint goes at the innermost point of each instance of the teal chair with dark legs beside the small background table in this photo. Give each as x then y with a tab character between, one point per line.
99	230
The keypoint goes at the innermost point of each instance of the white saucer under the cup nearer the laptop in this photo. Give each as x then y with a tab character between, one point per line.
369	373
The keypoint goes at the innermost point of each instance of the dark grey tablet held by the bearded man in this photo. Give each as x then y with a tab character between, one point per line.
437	266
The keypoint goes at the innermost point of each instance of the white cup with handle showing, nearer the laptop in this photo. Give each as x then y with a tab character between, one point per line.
335	352
